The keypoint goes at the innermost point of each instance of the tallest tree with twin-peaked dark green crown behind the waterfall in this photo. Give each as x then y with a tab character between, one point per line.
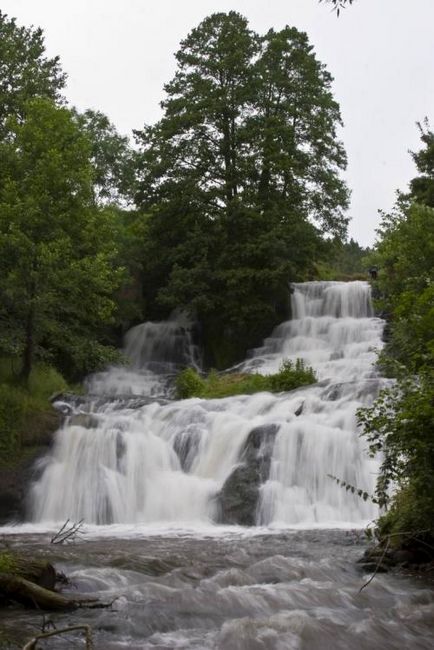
239	177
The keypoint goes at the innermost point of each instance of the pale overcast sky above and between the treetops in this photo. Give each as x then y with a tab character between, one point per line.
118	54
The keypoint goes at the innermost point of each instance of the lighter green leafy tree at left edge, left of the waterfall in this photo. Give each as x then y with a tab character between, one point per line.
57	255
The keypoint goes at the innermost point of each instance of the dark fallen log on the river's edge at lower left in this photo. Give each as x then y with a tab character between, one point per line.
29	594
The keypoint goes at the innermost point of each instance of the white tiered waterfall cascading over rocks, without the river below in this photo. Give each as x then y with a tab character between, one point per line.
190	461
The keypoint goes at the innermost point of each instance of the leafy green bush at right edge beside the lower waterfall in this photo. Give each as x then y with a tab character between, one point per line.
400	425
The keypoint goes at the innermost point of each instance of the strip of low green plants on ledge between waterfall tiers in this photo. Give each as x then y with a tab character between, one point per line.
290	376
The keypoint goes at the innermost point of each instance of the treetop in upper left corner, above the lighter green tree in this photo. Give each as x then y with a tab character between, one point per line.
25	71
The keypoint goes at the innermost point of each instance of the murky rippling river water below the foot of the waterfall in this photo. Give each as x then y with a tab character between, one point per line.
232	590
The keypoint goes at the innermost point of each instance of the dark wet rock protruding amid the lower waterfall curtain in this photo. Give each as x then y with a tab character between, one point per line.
238	499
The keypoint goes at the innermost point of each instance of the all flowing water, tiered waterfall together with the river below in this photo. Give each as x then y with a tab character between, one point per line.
157	482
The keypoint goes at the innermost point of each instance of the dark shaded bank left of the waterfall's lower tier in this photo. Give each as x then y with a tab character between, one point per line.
18	469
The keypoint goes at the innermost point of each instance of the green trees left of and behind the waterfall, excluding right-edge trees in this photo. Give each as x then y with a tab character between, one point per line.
232	194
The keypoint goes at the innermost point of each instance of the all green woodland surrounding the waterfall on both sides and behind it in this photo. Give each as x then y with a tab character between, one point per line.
234	193
